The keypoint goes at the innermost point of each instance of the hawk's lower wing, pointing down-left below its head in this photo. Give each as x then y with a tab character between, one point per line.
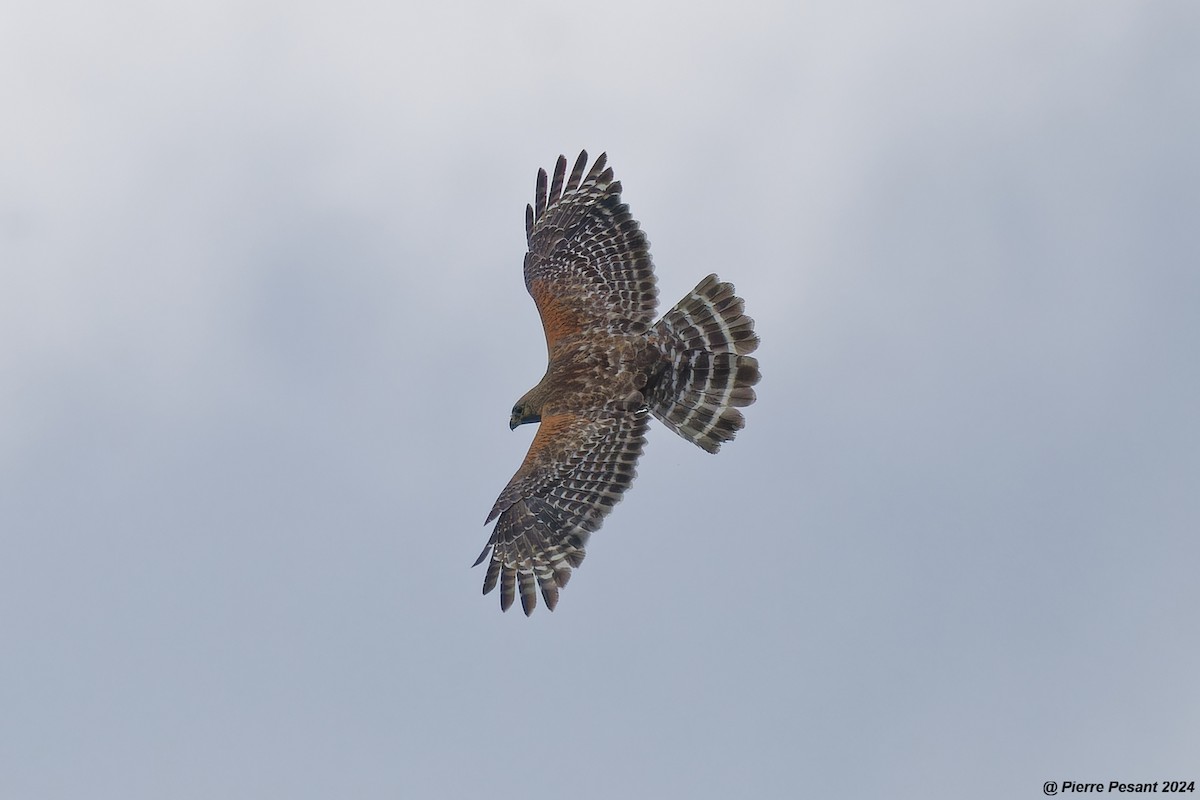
577	471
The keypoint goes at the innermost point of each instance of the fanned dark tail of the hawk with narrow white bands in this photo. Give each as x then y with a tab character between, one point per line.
706	340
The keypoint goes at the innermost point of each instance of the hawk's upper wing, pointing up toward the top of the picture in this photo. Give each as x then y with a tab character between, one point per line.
589	264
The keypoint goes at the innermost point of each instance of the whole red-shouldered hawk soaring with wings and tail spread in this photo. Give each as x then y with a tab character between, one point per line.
611	368
